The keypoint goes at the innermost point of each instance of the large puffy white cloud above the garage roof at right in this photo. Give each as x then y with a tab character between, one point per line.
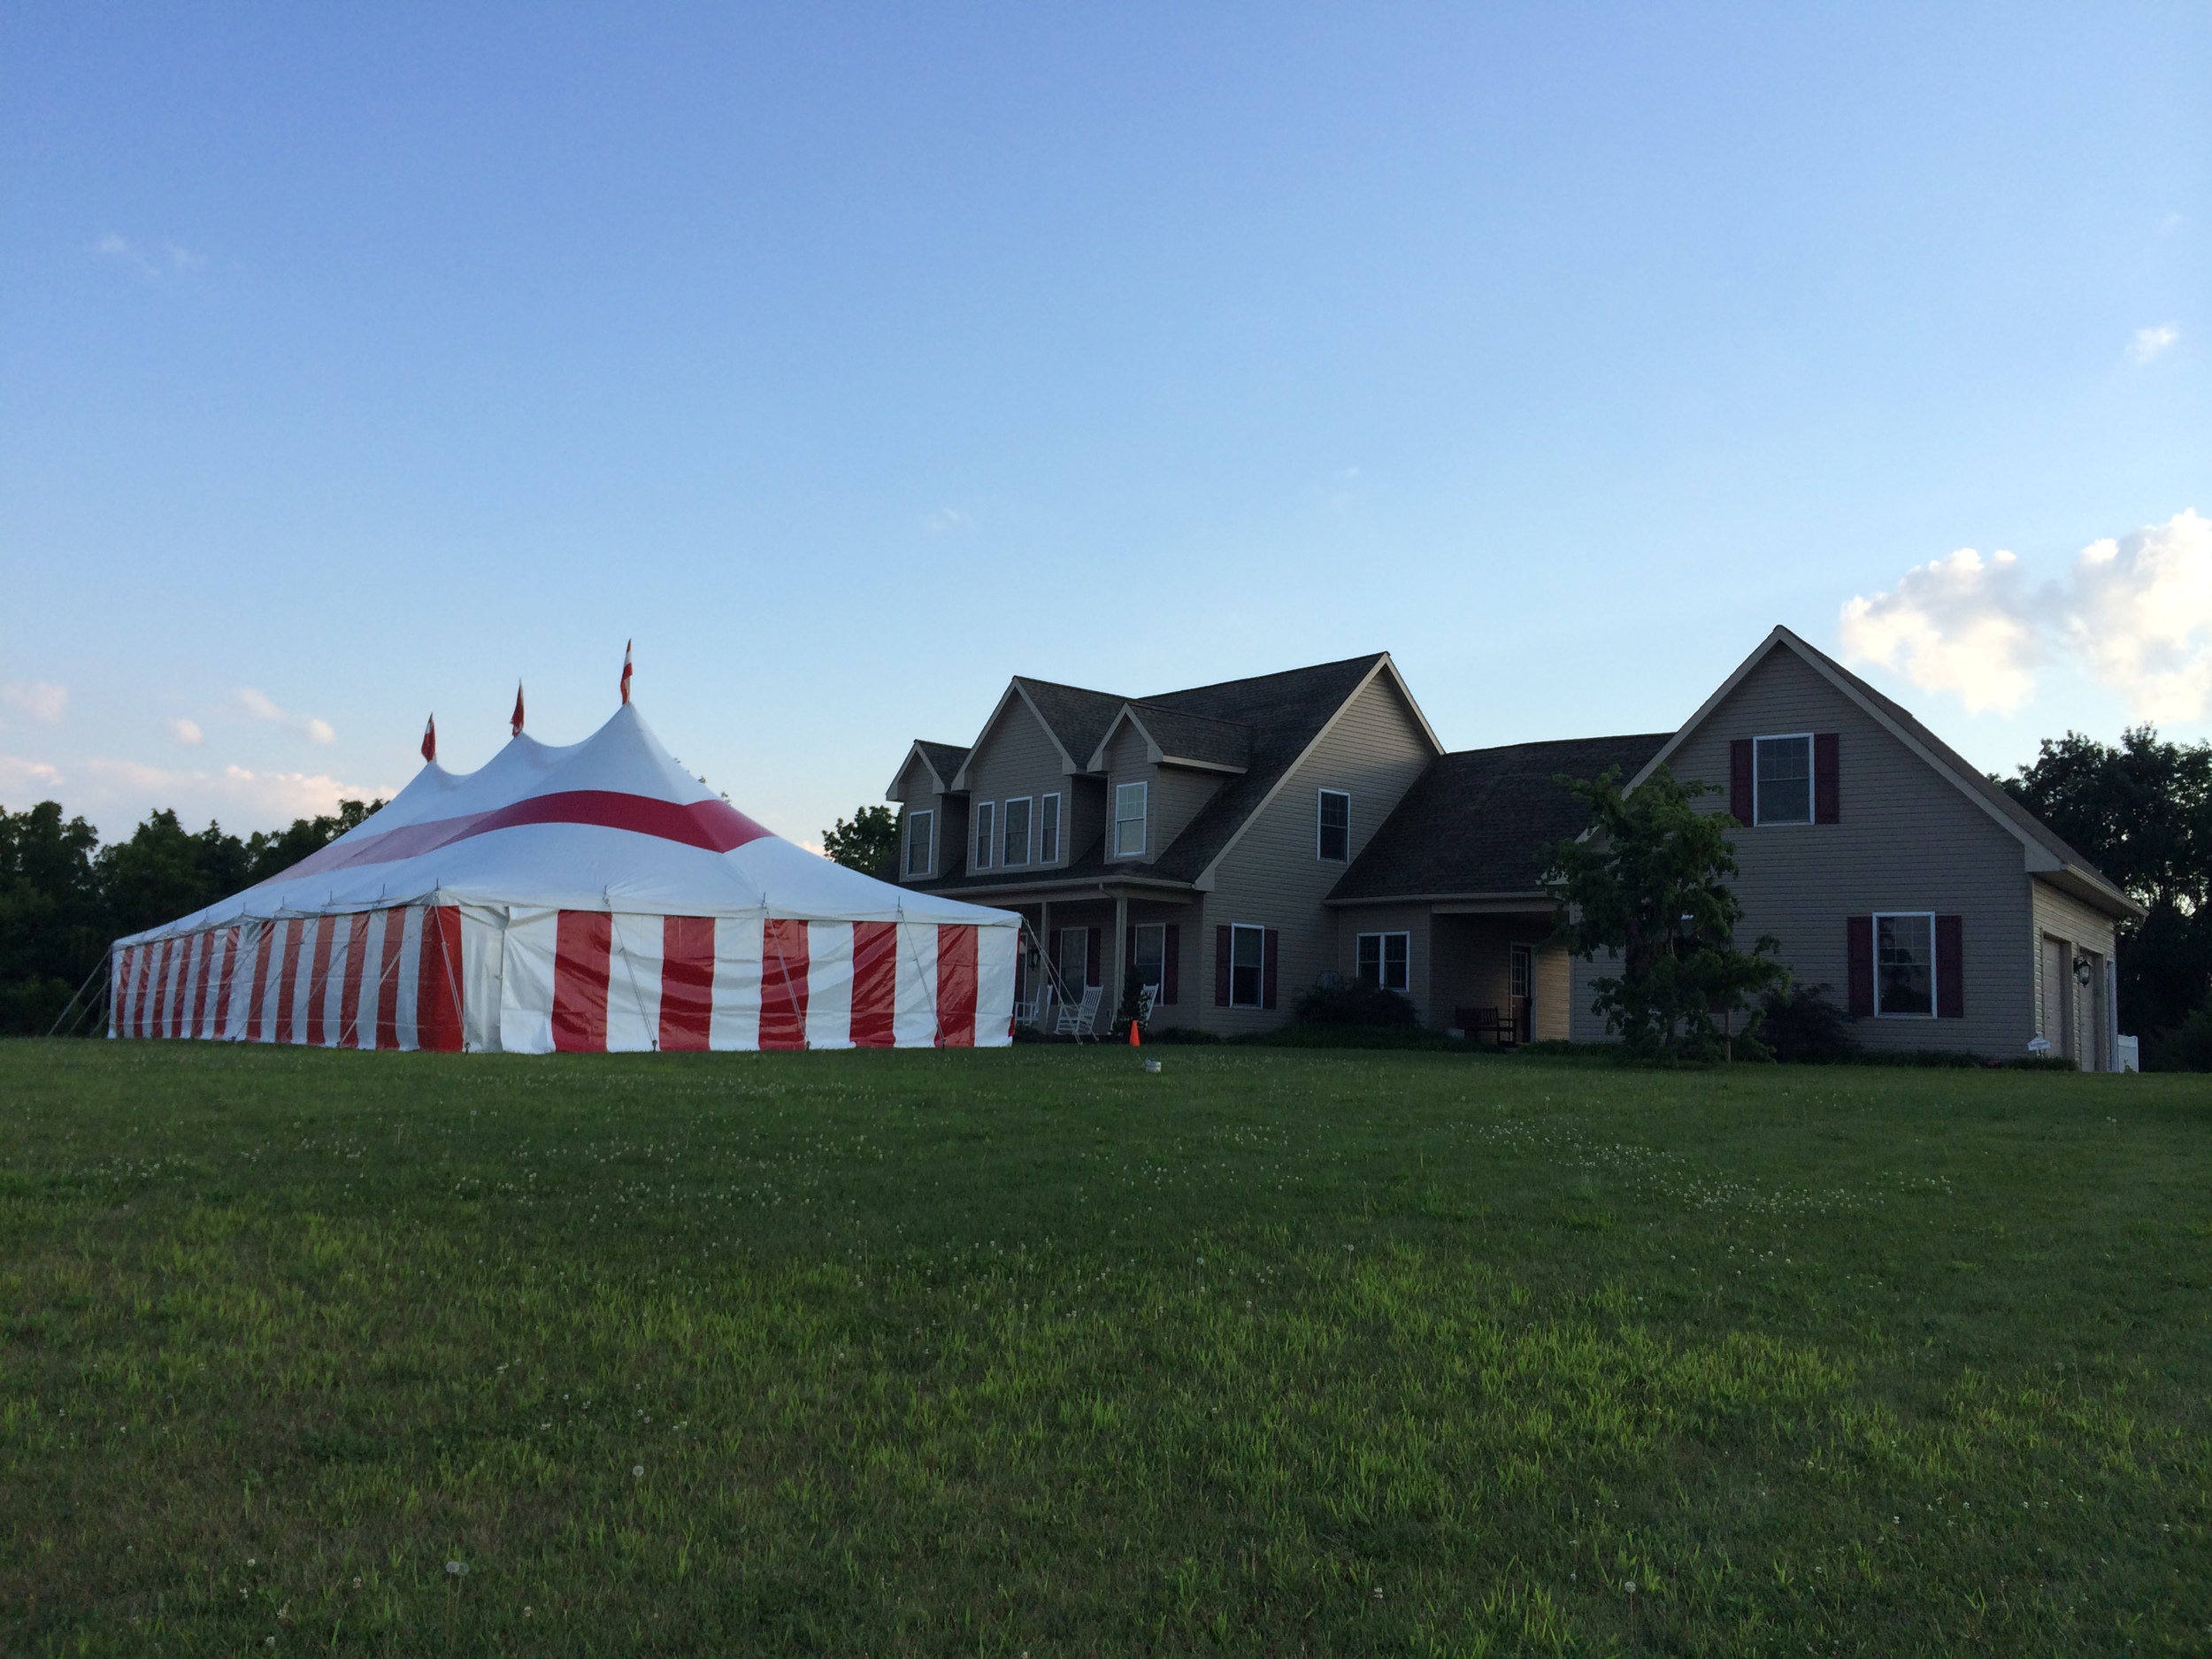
2136	614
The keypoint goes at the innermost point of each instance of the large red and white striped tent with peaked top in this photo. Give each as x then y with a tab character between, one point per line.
572	899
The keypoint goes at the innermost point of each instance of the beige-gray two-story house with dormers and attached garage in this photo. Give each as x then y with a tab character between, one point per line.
1233	844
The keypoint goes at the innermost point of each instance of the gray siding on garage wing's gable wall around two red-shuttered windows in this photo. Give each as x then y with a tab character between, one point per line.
1908	839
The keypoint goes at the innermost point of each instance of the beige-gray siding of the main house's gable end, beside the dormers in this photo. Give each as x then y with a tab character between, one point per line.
1273	879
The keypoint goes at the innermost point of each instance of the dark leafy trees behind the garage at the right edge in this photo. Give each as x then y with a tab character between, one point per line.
2142	813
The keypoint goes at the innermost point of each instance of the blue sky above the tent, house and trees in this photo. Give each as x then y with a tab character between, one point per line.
362	362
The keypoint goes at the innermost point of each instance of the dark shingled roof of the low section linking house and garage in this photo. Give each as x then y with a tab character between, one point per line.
1474	822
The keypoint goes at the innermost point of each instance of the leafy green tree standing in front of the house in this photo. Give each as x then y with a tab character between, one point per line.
1649	886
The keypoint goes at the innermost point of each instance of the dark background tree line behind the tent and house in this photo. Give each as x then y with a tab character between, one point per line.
2140	811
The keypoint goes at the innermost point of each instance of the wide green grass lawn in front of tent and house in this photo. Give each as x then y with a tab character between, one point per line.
1030	1353
